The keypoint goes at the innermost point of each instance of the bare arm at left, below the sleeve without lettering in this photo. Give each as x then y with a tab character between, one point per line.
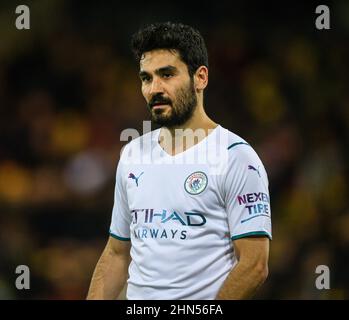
110	274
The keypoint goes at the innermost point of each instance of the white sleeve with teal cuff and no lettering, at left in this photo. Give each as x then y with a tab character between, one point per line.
121	218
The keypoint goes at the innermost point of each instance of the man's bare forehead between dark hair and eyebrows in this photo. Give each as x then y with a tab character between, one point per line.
155	59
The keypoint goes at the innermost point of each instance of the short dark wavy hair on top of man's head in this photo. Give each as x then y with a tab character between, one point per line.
172	36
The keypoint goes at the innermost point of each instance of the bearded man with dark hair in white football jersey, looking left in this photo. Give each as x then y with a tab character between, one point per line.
184	229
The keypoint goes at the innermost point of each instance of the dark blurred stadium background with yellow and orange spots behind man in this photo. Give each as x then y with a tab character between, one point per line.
69	86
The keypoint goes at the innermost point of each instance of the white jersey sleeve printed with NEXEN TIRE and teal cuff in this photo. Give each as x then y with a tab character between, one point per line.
246	192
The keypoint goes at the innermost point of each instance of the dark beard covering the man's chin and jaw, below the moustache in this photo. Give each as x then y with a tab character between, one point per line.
181	110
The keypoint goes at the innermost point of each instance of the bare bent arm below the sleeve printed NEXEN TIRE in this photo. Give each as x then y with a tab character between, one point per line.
250	271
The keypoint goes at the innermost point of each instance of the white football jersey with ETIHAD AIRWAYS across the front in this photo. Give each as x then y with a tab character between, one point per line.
182	212
